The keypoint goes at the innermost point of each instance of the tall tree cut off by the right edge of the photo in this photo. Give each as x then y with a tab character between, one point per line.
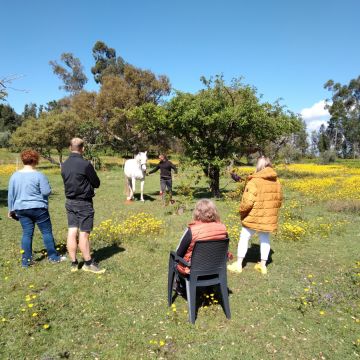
345	114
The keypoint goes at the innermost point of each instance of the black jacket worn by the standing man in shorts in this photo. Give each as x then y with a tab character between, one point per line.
79	178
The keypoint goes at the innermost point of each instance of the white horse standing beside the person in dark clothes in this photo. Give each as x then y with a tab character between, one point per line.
135	169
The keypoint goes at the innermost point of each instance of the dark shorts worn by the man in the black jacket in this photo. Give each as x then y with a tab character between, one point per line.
80	214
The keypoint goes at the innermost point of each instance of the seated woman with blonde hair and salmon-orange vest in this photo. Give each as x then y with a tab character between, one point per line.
206	225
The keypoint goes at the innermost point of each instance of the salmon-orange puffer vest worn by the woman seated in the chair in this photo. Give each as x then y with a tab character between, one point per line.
202	231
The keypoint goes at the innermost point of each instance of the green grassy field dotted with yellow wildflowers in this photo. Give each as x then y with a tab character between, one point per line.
307	307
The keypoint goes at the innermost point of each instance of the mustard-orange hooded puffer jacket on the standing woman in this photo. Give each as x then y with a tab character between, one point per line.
261	201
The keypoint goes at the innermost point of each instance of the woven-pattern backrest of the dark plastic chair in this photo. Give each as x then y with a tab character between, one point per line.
209	255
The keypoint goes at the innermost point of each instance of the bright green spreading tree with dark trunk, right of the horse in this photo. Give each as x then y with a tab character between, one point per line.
222	120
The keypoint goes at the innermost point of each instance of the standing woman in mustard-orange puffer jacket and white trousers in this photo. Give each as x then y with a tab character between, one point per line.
259	212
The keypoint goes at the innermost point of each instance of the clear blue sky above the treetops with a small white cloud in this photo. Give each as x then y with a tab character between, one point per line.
286	49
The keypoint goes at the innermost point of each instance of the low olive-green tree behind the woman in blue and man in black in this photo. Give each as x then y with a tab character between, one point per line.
50	131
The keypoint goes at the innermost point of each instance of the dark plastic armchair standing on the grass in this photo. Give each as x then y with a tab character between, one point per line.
207	268
